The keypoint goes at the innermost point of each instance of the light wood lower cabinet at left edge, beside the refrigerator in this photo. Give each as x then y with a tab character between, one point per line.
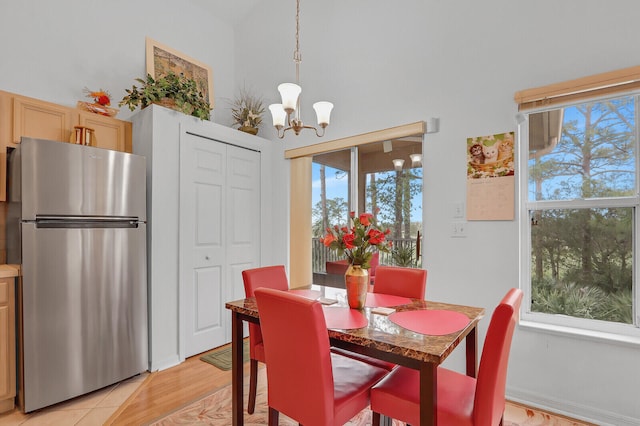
7	344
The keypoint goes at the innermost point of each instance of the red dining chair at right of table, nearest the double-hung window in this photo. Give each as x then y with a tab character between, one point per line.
461	399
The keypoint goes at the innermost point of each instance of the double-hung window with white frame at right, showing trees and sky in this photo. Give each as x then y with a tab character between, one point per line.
579	213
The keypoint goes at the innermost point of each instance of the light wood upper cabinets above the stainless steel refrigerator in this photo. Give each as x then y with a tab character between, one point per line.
25	116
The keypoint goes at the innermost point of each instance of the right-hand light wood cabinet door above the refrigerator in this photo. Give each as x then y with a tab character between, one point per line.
110	133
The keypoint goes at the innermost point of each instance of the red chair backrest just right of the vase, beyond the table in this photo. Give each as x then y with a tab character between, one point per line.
399	281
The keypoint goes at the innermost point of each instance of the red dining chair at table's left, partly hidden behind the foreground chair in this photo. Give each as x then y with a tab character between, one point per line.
271	277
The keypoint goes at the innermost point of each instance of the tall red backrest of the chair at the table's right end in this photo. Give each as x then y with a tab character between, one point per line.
492	375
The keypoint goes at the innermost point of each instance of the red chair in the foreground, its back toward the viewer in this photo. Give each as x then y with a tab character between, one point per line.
305	380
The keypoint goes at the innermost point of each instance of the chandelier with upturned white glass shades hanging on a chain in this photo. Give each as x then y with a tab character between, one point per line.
289	109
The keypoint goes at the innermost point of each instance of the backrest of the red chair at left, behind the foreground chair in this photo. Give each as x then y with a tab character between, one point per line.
266	276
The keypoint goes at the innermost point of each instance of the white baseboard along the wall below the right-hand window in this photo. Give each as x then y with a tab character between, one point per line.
570	409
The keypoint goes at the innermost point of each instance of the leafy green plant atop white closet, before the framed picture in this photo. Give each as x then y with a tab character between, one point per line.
171	90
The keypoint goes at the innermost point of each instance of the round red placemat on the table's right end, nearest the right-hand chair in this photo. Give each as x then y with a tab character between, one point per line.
432	322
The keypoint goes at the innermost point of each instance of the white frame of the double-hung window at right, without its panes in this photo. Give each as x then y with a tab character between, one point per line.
565	323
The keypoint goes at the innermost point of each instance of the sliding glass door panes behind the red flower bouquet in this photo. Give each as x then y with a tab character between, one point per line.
392	193
